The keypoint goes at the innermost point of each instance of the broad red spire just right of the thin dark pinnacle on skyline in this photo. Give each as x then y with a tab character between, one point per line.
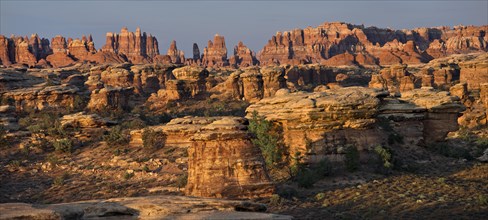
215	54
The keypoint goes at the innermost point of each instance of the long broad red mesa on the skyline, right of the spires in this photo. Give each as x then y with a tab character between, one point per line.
370	45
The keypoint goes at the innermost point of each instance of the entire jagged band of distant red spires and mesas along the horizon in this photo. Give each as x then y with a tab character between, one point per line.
331	44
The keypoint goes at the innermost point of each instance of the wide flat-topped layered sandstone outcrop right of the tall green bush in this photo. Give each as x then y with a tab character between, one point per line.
320	124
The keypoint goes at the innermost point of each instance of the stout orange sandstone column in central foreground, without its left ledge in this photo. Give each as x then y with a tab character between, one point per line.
223	162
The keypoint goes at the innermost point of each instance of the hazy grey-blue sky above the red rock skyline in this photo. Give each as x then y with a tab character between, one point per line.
251	21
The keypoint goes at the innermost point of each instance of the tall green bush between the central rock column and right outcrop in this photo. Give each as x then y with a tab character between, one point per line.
266	139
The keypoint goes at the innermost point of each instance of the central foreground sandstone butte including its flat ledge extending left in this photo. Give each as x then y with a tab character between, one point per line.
222	161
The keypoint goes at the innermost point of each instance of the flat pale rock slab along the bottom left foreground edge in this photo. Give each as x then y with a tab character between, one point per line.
150	207
